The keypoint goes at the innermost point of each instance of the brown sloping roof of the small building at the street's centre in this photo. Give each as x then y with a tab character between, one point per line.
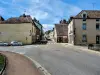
61	29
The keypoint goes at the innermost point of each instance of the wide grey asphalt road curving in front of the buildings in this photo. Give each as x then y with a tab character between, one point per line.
60	60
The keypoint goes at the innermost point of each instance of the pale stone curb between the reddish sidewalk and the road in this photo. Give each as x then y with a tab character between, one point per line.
38	66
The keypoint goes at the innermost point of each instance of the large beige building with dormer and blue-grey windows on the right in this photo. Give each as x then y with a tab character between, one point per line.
84	28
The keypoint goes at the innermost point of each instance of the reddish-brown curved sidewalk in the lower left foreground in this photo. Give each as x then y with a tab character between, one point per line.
19	65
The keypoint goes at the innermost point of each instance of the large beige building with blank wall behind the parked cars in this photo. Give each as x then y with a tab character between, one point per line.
18	29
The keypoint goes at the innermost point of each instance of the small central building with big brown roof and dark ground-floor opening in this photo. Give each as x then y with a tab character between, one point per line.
61	32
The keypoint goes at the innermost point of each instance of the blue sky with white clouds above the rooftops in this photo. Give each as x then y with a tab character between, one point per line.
48	12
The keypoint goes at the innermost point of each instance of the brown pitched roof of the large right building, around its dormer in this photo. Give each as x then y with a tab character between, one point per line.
90	14
